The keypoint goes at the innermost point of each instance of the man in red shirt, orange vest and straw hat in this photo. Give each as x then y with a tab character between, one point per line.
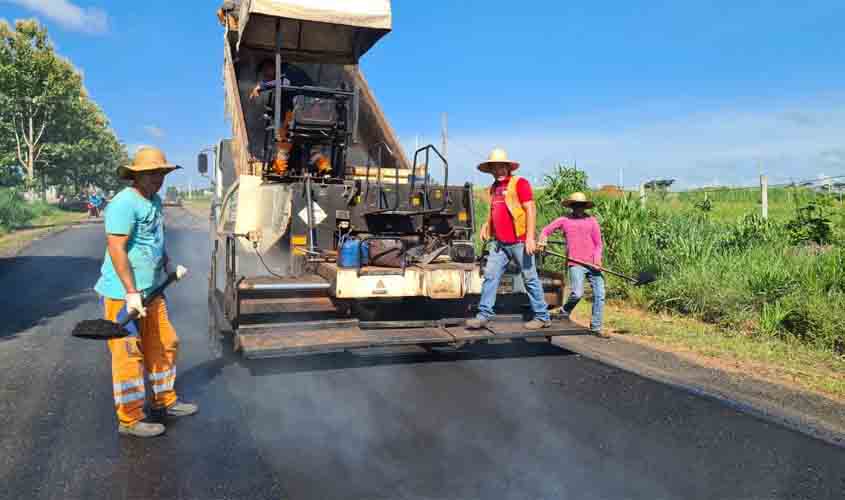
509	233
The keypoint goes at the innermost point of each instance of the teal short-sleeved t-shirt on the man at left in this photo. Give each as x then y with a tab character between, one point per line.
142	220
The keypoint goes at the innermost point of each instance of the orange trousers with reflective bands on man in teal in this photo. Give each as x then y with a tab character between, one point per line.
153	351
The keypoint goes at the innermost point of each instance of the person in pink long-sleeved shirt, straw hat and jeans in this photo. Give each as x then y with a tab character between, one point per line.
583	243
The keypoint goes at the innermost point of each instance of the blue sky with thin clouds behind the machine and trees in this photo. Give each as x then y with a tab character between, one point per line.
702	92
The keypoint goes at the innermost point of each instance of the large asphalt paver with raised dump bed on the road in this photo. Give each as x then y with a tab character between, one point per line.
325	237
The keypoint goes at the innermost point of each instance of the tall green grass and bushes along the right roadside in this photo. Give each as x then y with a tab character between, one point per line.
780	279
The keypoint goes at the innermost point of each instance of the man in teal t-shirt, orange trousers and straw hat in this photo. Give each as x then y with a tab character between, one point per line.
135	263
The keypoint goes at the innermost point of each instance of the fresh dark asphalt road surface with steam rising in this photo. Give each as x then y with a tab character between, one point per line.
518	421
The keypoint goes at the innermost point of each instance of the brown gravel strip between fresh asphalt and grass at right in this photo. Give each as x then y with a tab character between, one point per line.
807	413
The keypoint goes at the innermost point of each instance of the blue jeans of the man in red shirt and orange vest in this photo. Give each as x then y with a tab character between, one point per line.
497	262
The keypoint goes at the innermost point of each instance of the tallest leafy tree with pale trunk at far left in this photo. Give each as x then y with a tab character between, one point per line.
40	93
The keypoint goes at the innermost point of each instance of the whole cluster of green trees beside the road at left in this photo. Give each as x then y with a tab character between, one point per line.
49	128
